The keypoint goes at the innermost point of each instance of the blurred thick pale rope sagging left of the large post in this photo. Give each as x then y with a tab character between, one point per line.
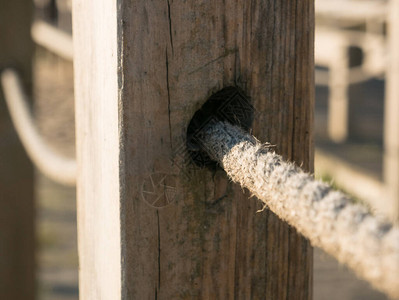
50	163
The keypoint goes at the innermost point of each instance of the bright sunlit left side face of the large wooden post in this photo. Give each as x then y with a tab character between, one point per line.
97	148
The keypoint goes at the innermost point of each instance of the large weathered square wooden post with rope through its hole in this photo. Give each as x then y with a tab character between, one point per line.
152	225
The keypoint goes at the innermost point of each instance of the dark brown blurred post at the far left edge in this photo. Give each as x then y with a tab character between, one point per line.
16	172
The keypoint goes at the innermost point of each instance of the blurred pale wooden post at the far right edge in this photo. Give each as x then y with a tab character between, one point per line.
391	130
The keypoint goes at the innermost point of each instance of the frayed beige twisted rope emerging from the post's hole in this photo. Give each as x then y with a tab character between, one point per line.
367	244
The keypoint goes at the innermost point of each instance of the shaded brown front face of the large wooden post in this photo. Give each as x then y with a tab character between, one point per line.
210	243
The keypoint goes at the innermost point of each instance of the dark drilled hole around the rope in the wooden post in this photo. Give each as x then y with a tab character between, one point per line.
228	105
